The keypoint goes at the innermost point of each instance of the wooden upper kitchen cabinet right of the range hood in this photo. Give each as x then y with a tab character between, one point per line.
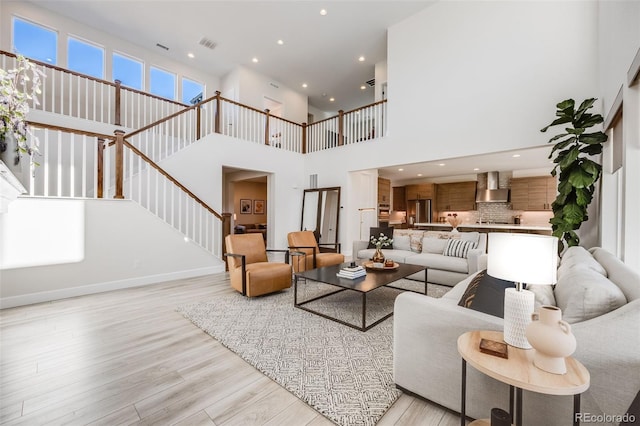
533	193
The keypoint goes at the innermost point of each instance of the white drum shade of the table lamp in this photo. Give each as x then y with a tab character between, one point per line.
523	258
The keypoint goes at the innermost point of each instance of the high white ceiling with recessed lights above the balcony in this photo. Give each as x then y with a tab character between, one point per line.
321	50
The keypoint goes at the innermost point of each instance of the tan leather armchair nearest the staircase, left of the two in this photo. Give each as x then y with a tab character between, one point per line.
250	271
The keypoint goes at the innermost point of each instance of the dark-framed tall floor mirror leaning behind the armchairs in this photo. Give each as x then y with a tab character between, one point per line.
321	214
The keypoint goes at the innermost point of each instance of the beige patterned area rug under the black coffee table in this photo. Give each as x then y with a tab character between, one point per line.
344	374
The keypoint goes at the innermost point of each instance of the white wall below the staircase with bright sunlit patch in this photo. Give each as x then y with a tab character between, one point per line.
119	244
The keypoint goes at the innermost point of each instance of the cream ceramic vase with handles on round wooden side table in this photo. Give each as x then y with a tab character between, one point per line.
551	338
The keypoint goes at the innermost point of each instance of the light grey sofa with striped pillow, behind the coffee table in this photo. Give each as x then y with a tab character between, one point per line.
427	248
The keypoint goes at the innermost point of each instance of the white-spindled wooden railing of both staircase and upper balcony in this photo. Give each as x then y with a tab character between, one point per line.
80	164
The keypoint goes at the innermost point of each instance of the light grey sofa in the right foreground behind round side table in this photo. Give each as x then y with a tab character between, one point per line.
597	293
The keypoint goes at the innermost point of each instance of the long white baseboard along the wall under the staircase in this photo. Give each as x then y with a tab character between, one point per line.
50	296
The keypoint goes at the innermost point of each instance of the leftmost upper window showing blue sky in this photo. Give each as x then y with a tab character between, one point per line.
35	41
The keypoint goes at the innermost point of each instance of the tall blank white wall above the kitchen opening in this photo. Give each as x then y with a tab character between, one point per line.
470	77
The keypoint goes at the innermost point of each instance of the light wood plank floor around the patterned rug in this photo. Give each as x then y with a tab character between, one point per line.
126	357
